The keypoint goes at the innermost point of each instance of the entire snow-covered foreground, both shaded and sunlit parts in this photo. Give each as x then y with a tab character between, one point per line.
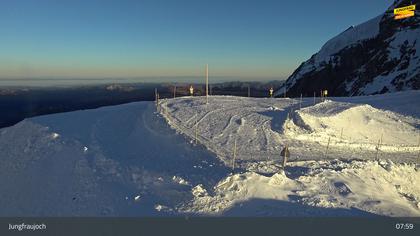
348	157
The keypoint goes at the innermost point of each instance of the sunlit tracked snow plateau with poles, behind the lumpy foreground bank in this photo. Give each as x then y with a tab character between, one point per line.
262	127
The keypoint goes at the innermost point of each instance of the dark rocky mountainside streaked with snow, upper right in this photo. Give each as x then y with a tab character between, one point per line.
378	56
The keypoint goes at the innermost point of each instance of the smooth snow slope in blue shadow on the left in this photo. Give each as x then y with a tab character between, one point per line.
113	161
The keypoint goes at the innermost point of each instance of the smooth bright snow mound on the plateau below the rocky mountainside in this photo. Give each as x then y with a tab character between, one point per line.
360	123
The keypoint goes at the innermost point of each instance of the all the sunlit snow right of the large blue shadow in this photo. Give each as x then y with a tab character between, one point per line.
315	183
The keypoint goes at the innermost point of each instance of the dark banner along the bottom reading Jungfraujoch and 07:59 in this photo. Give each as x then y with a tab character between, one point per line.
215	226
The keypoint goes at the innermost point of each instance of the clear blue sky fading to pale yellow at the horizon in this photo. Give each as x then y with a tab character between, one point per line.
94	39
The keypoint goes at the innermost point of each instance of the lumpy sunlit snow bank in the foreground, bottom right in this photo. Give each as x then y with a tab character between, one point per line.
351	188
